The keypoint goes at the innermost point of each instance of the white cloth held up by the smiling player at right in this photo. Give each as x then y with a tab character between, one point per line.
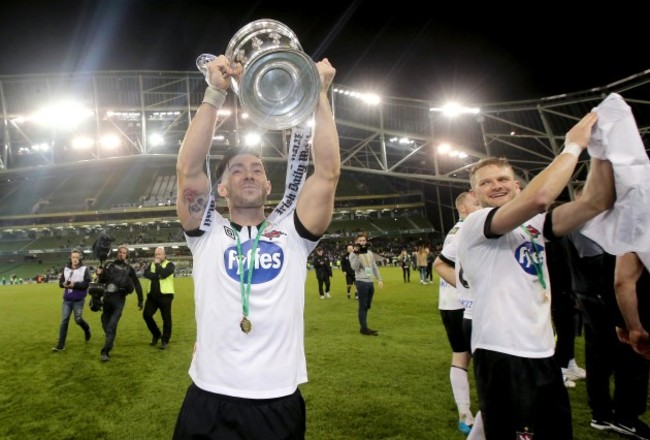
624	228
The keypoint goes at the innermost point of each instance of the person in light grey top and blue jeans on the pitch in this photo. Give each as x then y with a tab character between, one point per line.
365	268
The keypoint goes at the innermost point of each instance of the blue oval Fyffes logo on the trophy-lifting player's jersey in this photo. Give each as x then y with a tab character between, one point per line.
266	263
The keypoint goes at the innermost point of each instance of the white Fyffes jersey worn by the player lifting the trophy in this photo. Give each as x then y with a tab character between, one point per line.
269	361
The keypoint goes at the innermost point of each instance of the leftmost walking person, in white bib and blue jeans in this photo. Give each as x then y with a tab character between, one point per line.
74	281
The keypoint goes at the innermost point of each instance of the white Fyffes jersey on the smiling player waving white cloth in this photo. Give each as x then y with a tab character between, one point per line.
511	311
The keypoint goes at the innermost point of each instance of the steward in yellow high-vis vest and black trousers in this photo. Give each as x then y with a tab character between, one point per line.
161	294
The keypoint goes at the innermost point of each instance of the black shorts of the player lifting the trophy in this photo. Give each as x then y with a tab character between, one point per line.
214	416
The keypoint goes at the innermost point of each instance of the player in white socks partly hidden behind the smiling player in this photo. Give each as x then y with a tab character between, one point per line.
451	312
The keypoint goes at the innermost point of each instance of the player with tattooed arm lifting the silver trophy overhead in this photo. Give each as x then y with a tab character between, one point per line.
250	271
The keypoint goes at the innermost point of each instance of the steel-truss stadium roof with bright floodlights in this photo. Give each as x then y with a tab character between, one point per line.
397	138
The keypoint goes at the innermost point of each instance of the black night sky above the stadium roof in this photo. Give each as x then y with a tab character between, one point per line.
475	54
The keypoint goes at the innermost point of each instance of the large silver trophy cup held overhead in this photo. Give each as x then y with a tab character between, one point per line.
280	85
